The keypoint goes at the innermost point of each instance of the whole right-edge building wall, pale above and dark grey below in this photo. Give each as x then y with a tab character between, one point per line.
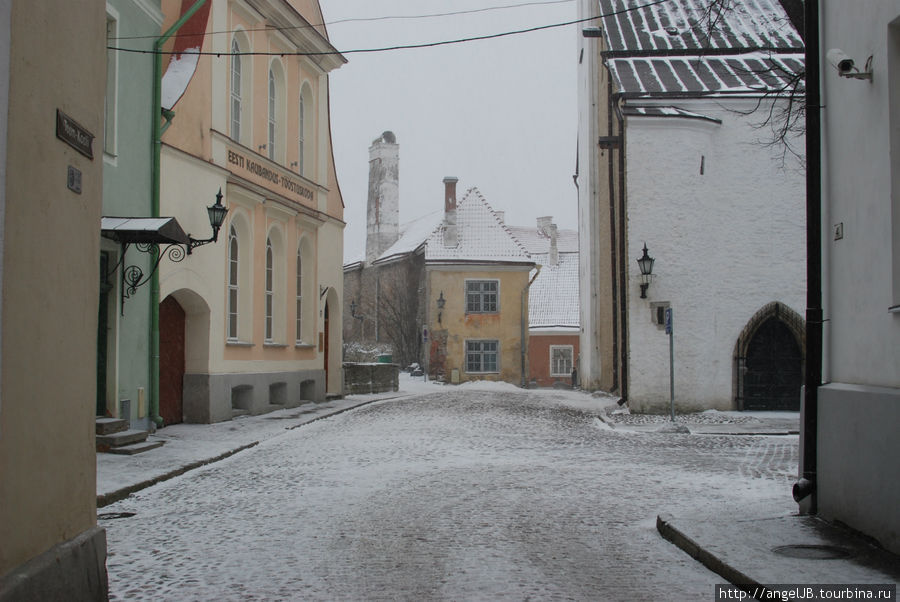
858	411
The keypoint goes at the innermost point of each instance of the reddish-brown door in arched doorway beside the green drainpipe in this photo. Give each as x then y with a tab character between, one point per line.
171	360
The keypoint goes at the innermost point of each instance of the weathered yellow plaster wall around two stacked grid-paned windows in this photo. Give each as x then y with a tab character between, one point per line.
505	326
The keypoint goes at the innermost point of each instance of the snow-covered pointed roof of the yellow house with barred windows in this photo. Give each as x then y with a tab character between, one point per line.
482	236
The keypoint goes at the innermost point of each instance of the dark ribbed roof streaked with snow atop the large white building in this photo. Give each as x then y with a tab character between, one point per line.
663	49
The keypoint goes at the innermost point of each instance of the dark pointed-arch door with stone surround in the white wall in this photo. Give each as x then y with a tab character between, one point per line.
769	360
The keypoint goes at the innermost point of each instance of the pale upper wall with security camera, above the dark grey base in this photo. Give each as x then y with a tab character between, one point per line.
863	337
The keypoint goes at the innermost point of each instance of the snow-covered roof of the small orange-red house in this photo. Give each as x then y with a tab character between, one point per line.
553	297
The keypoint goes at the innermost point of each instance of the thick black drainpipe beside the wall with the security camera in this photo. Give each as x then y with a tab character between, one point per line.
806	486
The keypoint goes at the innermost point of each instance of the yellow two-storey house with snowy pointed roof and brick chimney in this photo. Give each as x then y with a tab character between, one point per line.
476	294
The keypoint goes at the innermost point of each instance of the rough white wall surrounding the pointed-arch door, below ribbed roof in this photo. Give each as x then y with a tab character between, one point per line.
726	243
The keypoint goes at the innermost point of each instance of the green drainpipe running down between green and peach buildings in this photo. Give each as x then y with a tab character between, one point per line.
156	132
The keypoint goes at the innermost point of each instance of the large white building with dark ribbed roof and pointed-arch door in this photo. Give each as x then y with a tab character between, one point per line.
672	156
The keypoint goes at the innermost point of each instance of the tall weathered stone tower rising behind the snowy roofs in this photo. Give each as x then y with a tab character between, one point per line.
383	209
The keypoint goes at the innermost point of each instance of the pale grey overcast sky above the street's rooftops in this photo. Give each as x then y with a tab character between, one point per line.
498	114
